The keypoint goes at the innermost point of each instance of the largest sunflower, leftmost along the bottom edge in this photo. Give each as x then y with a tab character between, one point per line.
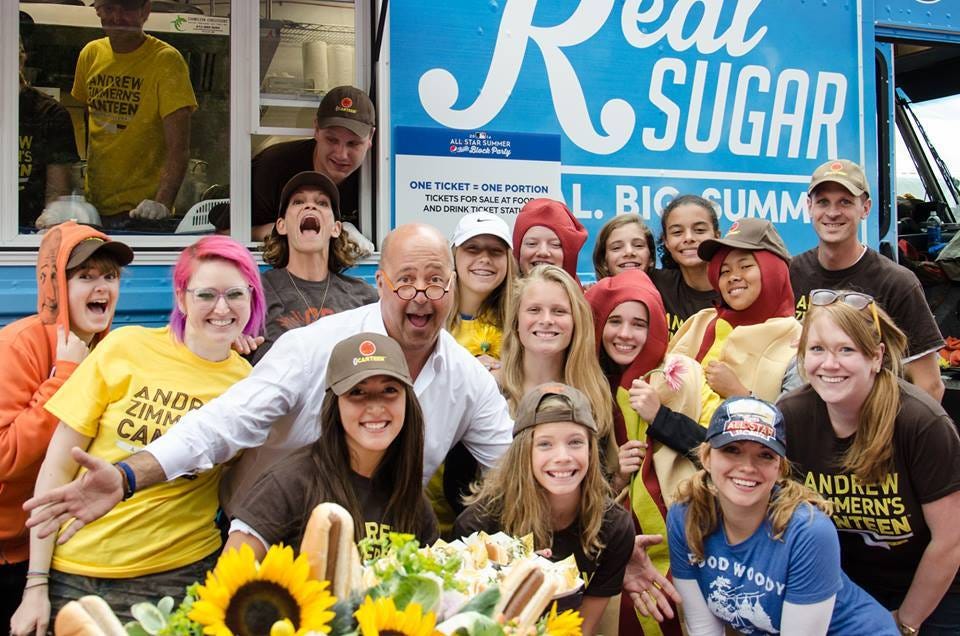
243	599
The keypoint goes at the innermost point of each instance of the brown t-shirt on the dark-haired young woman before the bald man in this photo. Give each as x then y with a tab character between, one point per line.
282	499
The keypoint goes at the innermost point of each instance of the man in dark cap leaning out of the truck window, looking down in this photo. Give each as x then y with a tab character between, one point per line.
342	135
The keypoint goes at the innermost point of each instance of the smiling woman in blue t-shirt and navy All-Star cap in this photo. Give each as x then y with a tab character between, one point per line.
752	550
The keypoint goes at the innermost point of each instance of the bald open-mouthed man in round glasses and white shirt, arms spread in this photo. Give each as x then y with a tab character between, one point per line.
276	409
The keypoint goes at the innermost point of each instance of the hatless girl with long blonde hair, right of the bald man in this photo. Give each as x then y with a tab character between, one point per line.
549	338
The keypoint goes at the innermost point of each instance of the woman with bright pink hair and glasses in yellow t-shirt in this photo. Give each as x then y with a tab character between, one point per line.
129	391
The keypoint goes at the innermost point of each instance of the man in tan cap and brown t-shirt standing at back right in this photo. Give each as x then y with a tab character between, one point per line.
838	200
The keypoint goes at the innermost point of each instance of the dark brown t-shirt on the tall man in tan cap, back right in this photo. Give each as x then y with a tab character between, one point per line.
894	287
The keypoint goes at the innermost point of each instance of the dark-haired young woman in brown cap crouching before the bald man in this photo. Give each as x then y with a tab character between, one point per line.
368	459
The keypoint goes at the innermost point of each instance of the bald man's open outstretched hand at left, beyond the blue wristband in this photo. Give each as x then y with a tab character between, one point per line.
84	500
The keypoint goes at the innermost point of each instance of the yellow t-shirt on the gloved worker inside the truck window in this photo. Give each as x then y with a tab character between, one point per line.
127	96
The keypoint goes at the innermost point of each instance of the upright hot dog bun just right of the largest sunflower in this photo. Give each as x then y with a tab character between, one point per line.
328	544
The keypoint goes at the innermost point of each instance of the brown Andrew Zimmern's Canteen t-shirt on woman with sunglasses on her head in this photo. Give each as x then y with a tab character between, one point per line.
881	526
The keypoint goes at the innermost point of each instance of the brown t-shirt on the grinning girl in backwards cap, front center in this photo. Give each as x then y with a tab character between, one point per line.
602	574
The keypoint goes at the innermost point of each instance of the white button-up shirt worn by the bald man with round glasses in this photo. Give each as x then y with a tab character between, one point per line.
276	409
